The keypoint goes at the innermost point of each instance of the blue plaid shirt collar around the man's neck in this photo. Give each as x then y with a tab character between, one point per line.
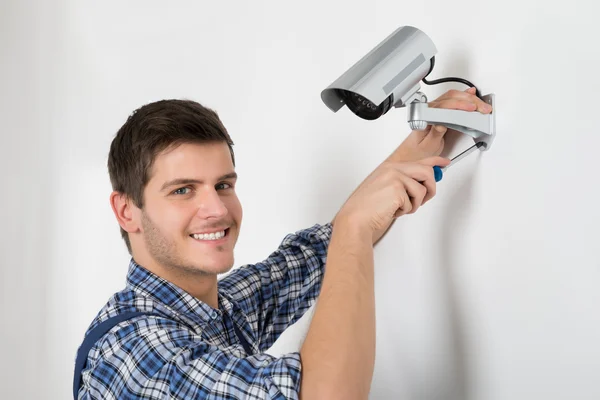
152	286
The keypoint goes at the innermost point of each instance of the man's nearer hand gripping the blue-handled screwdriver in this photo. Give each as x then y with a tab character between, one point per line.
393	189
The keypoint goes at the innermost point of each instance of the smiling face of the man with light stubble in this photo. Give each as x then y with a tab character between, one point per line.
191	215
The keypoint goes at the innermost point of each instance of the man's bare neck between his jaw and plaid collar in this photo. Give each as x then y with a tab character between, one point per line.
201	285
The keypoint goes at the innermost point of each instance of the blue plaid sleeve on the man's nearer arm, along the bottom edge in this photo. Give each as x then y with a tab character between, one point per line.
160	359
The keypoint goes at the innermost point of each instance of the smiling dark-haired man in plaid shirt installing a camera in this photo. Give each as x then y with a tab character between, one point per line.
178	332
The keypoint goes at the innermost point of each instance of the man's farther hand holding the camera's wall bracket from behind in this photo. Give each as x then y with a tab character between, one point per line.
430	142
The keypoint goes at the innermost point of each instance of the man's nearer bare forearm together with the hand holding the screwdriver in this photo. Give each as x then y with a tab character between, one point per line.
338	353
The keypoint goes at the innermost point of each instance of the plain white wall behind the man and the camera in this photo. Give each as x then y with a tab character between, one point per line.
489	292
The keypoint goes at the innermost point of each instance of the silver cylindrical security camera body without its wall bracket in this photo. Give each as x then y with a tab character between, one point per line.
388	76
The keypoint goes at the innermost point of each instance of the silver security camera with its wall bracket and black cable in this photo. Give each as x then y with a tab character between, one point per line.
390	75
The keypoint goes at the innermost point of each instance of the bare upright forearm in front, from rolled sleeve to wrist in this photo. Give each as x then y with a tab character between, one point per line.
338	354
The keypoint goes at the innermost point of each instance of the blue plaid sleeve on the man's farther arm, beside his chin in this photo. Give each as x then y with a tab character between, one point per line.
276	293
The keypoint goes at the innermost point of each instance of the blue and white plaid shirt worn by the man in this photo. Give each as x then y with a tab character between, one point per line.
190	350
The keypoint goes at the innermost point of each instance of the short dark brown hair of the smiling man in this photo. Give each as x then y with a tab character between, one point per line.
151	129
